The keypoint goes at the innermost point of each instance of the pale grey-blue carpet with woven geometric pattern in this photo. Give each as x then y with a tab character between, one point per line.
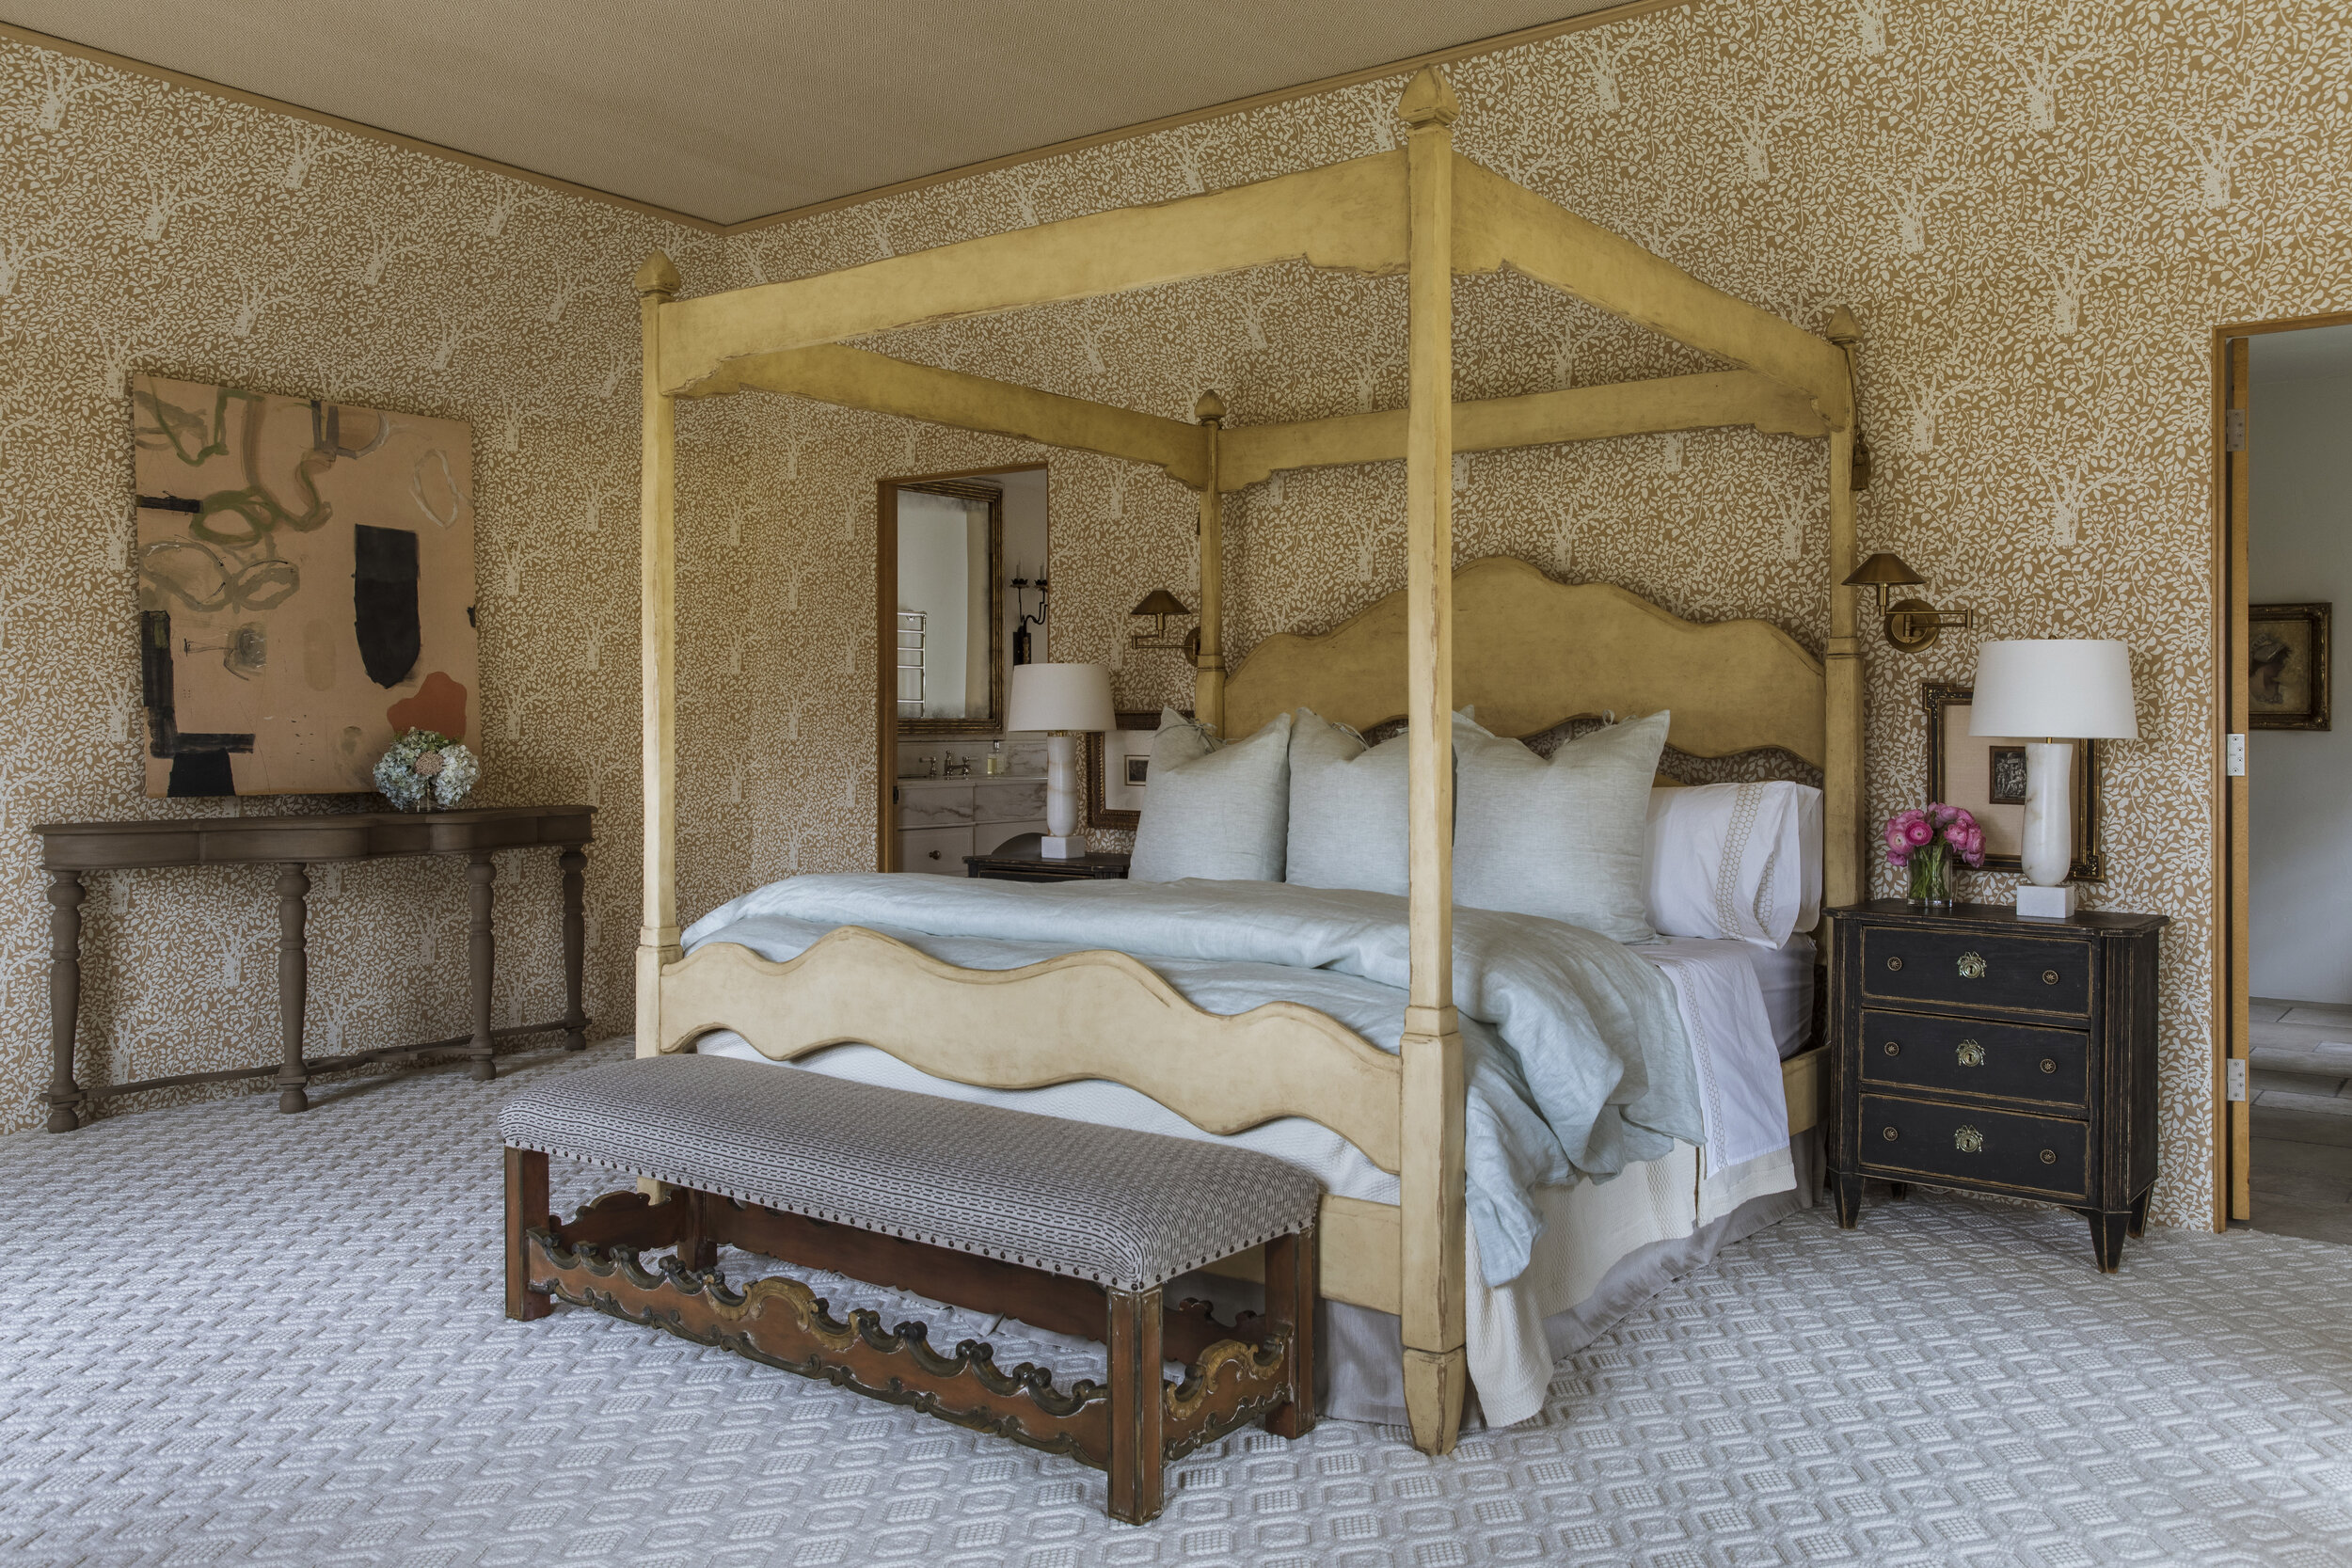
248	1339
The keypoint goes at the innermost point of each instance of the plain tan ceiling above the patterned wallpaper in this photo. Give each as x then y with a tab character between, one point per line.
735	109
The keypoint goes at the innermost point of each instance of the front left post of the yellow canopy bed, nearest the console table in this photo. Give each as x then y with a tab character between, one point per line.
657	631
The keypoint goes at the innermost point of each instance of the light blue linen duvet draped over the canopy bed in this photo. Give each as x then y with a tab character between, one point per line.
1575	1047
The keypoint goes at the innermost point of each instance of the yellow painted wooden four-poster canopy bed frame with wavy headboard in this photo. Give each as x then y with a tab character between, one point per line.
1426	213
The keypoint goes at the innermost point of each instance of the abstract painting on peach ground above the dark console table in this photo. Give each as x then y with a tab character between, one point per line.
305	587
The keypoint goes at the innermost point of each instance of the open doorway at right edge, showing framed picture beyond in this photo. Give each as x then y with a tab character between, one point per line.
2285	953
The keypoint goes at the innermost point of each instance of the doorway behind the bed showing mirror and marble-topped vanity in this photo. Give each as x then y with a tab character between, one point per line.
963	596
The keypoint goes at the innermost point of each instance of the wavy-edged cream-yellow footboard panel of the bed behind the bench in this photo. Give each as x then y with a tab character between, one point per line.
1076	1017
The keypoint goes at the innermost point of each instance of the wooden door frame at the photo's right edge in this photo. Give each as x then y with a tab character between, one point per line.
2233	967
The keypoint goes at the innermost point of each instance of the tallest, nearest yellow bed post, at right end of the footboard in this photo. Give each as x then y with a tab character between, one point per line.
1431	1179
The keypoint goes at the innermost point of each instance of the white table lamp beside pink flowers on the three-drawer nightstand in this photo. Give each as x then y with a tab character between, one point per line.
2052	695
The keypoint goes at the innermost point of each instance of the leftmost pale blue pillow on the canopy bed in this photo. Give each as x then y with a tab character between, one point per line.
1215	810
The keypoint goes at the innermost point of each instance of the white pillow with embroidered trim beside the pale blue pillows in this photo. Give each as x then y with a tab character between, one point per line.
1735	862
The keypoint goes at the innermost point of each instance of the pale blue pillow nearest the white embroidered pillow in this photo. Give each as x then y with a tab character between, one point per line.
1558	838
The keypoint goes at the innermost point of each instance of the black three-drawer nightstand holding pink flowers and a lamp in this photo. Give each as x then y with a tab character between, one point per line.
1998	1054
